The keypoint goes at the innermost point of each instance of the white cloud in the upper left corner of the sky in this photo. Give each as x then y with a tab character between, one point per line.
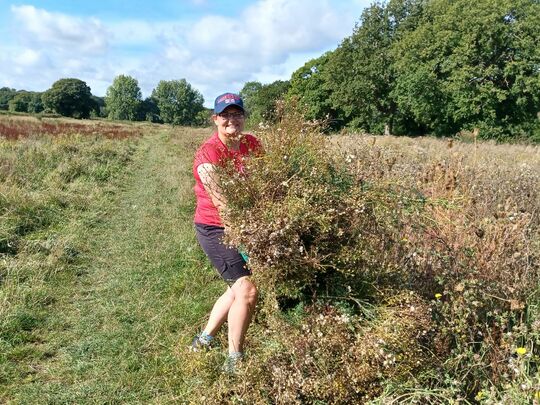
65	33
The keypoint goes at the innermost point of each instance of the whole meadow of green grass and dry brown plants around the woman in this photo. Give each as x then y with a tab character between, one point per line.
391	269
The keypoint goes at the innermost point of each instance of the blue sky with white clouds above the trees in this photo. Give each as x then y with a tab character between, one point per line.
216	45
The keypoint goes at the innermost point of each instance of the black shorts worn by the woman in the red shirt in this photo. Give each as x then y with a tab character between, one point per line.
228	261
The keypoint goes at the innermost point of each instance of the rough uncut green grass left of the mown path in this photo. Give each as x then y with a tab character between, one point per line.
53	190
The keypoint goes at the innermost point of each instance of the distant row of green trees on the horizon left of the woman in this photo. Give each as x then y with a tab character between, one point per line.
174	102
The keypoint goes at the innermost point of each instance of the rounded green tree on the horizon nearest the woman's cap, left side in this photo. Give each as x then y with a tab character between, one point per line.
178	102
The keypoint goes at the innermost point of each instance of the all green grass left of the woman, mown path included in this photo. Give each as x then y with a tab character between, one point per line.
100	292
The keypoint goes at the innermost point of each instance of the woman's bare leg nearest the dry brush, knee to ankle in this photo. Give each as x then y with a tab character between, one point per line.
240	312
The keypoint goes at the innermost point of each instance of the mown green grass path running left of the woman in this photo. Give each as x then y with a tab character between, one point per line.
113	333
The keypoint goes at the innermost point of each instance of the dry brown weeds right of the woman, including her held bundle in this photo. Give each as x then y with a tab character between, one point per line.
388	273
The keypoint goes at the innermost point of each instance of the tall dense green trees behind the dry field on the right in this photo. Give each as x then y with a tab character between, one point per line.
424	67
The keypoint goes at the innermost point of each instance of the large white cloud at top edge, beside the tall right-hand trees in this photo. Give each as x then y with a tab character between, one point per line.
268	31
